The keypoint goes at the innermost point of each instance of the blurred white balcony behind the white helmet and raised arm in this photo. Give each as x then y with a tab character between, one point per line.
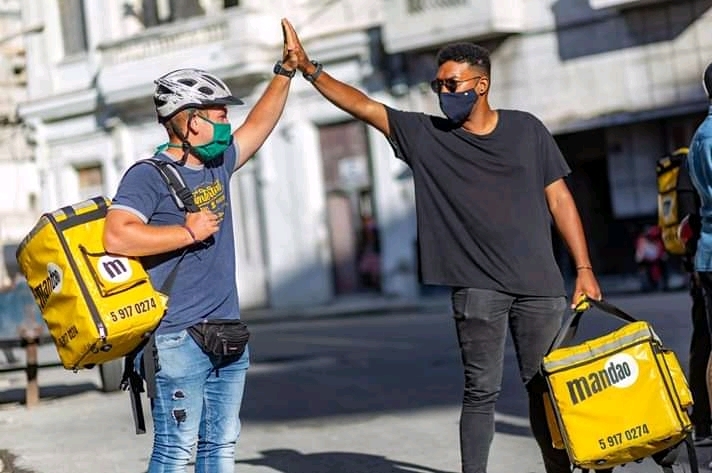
237	45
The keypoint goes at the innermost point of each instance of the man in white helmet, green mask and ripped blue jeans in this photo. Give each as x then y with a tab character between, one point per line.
198	386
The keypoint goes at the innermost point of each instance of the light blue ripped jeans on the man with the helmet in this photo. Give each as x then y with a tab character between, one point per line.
198	396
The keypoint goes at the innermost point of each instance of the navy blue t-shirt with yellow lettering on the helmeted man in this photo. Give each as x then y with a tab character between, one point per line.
205	285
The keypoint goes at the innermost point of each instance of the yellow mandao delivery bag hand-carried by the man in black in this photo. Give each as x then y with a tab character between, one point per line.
618	398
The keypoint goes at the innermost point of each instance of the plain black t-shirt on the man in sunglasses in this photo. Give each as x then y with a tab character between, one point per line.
483	220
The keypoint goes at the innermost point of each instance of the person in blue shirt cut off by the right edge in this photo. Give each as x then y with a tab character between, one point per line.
699	162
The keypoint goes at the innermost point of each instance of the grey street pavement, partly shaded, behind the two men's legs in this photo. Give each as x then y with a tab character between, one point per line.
372	391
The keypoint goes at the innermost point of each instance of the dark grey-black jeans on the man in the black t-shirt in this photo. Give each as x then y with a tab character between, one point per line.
481	319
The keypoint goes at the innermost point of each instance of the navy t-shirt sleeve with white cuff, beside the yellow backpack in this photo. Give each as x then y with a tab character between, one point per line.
139	191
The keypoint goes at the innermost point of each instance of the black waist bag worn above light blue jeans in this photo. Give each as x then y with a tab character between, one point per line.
224	337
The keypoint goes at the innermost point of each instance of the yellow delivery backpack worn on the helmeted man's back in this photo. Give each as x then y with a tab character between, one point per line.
97	306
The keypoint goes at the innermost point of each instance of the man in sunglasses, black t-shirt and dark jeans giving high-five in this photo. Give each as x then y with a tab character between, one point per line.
487	183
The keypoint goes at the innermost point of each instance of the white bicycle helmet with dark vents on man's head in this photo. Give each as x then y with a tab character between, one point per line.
189	88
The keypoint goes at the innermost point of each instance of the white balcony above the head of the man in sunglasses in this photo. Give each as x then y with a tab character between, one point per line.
420	24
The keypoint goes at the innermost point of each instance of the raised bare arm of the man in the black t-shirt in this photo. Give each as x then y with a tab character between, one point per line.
344	96
